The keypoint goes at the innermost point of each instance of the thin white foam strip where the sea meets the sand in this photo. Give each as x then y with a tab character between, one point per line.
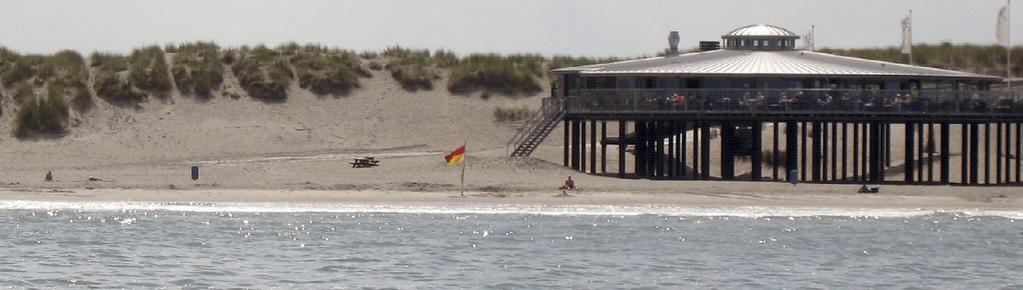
470	209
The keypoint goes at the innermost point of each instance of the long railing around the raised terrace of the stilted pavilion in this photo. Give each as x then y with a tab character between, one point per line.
925	102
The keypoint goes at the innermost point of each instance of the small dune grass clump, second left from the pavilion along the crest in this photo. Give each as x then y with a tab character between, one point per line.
413	69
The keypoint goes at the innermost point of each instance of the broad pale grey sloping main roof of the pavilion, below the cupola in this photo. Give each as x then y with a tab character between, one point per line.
769	64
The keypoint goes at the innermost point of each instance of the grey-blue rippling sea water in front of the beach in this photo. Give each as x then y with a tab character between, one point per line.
316	246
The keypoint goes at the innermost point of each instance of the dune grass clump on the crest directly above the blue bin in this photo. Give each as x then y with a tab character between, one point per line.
198	70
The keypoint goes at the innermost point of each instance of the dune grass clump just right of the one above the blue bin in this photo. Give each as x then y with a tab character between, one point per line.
262	72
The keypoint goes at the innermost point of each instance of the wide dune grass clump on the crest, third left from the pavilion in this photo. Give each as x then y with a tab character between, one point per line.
326	71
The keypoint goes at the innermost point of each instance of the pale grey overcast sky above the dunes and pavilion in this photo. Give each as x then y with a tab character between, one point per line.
592	28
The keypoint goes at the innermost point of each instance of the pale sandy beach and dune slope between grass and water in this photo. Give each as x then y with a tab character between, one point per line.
300	151
